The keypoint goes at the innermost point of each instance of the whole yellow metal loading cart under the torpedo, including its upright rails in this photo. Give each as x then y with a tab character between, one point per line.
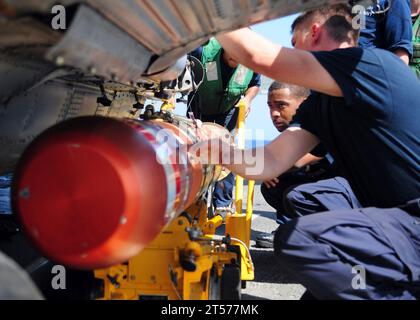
157	270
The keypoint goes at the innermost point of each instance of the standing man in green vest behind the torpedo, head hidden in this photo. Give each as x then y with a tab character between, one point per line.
225	83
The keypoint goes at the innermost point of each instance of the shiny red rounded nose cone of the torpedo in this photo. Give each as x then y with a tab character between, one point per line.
90	192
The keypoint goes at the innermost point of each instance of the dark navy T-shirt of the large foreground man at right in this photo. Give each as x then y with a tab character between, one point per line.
373	132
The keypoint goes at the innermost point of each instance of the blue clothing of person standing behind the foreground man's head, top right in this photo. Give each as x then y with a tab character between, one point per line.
391	30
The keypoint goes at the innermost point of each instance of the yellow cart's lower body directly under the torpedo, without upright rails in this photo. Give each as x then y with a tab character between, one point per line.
157	270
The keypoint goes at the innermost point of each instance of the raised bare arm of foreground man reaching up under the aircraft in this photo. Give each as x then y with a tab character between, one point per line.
292	66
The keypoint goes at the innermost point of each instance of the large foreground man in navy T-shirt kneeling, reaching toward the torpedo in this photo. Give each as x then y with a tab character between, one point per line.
365	110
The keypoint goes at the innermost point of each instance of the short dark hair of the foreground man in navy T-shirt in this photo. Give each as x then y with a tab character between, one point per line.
338	22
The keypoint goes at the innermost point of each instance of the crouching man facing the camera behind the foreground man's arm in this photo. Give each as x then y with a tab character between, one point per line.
312	184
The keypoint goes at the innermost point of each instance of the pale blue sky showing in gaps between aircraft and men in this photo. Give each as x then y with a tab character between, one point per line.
277	31
